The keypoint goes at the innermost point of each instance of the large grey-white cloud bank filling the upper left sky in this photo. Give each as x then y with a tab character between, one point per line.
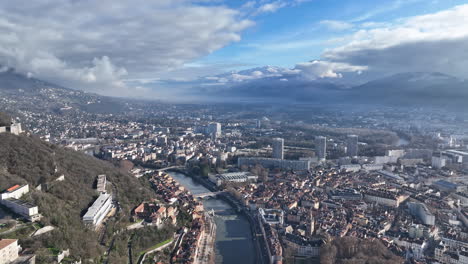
93	45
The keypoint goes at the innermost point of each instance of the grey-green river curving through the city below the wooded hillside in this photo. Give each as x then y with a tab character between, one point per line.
234	242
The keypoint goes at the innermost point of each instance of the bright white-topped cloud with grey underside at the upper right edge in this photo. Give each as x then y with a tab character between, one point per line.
433	42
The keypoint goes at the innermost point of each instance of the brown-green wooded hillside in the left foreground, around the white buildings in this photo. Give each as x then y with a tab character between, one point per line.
29	160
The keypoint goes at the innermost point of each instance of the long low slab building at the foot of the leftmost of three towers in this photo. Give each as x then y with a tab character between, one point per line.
275	163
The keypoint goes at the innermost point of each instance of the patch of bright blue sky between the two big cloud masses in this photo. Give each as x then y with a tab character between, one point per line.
295	33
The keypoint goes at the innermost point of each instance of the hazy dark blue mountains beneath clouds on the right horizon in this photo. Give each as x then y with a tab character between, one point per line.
404	89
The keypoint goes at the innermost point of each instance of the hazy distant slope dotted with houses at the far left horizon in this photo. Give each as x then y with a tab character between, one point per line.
24	93
